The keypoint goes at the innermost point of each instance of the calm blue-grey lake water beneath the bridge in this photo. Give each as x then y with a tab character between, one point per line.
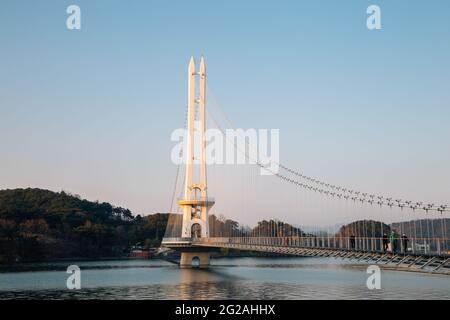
228	278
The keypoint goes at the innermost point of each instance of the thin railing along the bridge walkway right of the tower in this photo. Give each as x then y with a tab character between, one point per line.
426	246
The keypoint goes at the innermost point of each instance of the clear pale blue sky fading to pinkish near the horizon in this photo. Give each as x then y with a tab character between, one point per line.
91	111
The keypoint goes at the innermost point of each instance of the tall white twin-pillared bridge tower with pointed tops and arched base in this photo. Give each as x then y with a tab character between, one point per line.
195	203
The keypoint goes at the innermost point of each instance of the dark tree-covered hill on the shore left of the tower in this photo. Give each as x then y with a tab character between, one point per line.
38	224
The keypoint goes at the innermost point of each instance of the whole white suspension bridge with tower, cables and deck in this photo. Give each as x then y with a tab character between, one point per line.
418	243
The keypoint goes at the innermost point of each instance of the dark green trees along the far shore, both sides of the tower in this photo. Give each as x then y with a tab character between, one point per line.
39	225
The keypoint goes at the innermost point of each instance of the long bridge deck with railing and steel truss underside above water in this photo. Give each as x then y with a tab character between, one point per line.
431	261
